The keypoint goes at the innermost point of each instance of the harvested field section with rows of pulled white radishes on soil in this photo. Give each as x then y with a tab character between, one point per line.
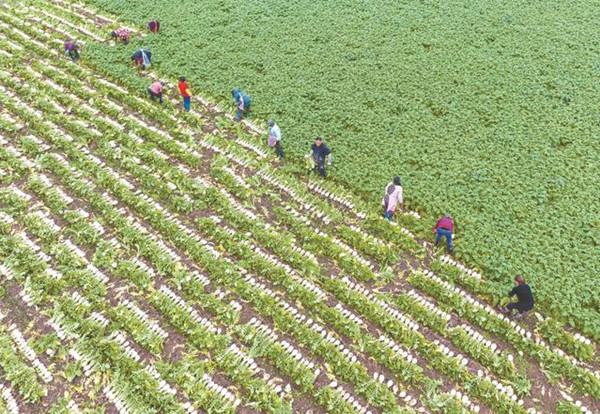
157	262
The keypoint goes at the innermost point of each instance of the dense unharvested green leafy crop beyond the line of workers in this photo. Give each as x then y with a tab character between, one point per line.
487	109
